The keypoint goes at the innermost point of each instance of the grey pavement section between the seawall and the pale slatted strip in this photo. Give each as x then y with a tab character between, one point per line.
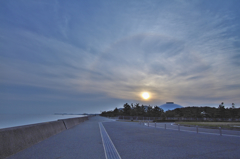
82	141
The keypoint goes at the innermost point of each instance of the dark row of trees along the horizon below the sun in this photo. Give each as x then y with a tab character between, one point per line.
185	112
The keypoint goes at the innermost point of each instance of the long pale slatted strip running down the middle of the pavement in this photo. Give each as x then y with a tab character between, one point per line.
109	148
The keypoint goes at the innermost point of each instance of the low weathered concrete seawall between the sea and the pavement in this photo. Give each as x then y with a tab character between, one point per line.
15	139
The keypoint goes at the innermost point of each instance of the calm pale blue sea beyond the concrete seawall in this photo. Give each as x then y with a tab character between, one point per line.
13	120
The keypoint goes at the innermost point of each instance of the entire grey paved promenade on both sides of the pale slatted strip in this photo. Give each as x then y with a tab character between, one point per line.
131	140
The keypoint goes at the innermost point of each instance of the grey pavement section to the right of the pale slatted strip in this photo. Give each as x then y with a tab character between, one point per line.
137	141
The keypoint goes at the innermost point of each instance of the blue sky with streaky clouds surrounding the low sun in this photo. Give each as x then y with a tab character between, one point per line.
90	56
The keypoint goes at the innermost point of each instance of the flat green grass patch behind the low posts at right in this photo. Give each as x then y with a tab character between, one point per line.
224	125
